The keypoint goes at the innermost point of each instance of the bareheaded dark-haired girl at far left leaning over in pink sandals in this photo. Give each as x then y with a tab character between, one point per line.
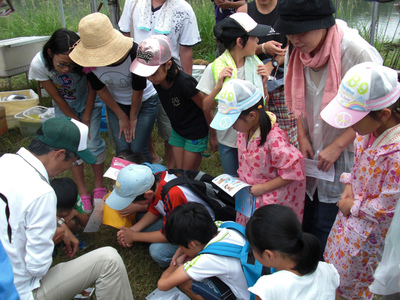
72	97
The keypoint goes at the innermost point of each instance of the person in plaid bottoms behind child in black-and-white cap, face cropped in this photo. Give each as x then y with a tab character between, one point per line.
271	50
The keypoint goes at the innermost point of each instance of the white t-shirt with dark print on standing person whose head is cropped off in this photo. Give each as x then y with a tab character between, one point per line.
184	30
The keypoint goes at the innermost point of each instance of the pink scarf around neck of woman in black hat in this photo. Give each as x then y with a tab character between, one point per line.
294	82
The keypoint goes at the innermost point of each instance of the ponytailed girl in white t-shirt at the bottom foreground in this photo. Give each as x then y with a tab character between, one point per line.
277	240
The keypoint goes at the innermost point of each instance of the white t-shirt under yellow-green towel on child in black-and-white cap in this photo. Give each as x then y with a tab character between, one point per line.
206	84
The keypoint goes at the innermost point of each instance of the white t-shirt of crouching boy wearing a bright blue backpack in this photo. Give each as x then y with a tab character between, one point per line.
227	269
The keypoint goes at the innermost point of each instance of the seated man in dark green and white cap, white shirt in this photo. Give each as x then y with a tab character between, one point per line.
28	220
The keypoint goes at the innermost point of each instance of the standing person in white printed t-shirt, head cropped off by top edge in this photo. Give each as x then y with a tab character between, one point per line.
141	19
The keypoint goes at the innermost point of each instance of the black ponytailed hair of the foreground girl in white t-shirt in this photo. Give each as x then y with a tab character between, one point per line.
276	228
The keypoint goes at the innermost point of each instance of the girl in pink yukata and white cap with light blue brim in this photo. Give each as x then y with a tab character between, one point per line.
267	160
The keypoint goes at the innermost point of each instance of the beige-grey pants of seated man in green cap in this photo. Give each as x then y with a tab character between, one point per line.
103	266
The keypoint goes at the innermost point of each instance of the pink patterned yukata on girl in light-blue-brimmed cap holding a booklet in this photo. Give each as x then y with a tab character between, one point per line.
277	157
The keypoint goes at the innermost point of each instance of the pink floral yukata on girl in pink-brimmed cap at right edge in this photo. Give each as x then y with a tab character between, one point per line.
355	243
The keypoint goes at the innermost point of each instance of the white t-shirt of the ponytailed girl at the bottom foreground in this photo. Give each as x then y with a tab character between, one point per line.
320	285
